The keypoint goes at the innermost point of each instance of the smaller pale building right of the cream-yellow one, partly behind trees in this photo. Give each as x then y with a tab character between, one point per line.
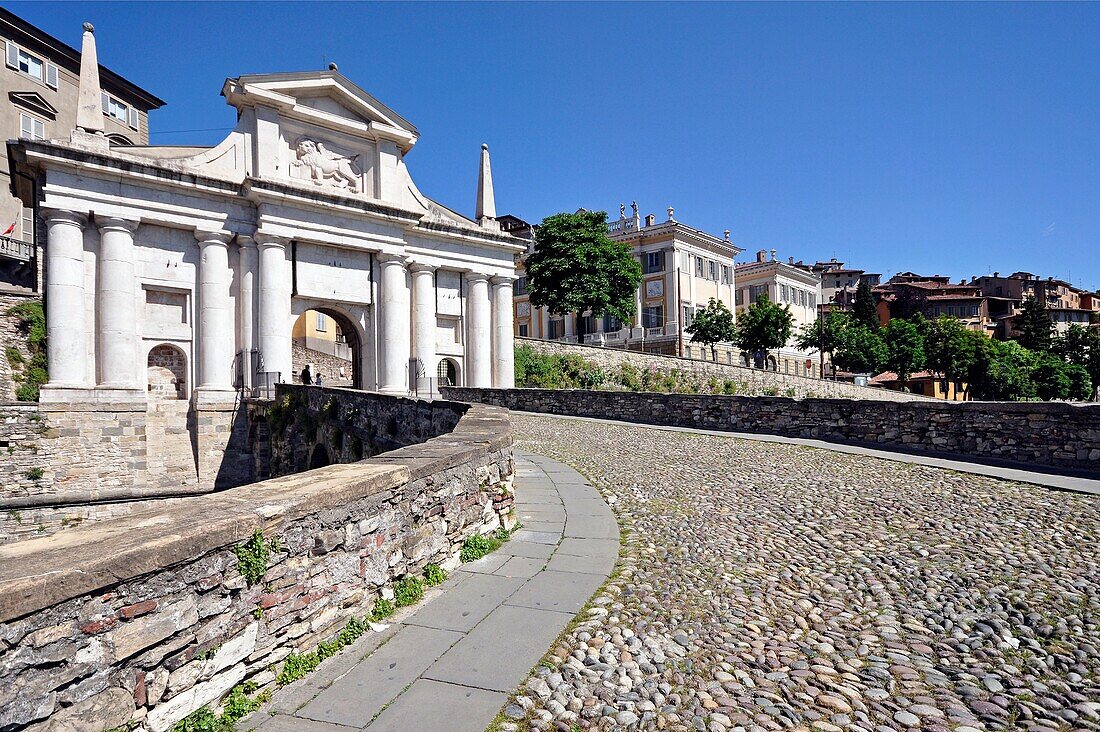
786	283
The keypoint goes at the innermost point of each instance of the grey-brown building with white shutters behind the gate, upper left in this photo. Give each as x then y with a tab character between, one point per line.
40	81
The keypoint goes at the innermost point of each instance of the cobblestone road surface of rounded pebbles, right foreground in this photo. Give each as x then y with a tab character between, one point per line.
774	587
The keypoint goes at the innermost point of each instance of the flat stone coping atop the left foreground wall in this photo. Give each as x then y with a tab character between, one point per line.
41	573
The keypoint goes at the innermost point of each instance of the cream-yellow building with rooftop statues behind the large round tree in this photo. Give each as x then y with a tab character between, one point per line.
683	269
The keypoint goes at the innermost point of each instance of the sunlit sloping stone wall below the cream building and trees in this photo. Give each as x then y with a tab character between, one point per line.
756	381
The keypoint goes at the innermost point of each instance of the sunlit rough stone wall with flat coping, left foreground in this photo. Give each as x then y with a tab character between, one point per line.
144	619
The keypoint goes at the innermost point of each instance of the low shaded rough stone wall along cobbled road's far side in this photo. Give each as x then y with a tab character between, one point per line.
1028	434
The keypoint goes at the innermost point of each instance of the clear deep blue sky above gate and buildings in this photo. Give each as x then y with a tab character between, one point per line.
953	139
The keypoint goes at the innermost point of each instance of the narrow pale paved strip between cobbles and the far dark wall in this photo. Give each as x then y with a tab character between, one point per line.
1036	477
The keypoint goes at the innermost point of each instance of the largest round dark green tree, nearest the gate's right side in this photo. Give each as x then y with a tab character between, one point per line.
576	268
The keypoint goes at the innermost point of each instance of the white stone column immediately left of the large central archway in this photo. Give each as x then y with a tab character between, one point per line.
274	307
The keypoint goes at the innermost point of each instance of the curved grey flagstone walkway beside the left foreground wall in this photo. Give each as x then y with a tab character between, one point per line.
450	663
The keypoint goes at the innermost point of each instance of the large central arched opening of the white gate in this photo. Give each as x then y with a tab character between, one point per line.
329	343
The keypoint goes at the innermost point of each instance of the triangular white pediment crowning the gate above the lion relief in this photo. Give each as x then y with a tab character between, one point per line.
323	99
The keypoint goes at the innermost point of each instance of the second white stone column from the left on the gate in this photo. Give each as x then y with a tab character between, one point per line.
116	304
